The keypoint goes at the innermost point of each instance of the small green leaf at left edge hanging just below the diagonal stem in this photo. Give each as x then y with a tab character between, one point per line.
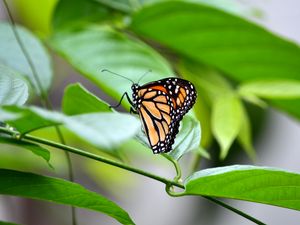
34	148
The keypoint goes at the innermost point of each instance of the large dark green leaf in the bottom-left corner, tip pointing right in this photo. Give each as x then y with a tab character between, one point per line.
59	191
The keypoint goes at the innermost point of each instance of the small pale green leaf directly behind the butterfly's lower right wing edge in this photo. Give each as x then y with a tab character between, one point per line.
188	138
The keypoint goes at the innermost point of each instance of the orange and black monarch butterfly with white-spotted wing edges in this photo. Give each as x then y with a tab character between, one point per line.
161	106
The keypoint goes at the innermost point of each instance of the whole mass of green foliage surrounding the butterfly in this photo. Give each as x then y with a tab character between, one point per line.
248	63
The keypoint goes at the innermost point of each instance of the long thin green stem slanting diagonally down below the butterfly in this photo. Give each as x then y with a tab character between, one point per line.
169	183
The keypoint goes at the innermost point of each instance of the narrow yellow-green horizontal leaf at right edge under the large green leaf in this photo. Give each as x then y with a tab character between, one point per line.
271	89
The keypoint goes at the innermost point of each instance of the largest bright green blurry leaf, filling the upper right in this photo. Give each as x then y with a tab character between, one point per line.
245	52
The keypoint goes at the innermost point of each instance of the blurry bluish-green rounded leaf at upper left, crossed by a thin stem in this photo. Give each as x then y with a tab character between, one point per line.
12	56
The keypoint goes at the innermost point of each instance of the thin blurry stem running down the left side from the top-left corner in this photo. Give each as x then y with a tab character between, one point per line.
44	97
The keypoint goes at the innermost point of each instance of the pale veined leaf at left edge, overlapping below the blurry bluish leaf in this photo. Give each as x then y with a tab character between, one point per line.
13	88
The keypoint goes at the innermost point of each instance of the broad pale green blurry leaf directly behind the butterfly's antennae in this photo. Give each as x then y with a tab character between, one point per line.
95	48
